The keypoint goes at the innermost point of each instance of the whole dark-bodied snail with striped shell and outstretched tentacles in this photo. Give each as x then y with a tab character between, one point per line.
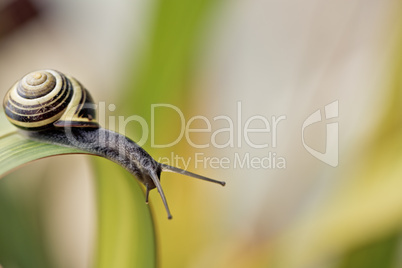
51	107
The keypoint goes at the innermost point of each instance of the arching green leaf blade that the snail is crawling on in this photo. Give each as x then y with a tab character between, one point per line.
125	231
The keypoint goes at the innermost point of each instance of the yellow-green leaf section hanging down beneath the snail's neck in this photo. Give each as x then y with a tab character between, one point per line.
126	231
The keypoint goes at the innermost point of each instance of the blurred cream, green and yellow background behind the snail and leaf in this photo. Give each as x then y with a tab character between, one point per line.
276	58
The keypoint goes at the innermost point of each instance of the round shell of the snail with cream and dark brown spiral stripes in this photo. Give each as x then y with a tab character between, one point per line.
48	98
